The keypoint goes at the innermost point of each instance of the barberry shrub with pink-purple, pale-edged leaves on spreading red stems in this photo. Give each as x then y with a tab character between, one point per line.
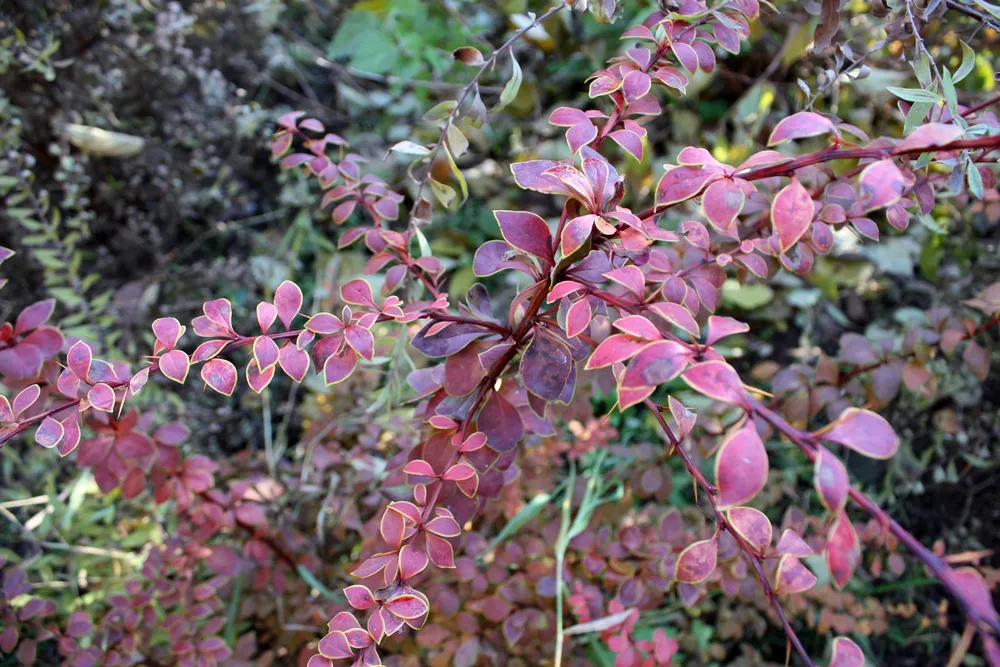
611	297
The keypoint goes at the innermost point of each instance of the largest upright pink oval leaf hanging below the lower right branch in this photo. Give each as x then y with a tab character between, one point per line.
741	466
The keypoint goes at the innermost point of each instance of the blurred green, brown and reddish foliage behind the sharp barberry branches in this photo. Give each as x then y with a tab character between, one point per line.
138	183
